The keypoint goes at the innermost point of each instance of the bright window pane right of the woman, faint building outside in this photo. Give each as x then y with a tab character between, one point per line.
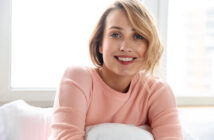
190	48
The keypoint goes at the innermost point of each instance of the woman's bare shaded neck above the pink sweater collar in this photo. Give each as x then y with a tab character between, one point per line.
117	82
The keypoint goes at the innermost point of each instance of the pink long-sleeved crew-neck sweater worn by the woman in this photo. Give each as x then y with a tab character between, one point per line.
84	99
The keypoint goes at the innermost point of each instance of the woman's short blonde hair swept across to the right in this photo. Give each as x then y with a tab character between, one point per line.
142	22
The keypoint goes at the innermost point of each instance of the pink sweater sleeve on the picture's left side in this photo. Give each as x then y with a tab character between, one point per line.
70	105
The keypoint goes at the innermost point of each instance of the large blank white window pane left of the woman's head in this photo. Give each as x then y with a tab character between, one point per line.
47	36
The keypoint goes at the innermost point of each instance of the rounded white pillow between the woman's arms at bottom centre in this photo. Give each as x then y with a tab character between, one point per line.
117	131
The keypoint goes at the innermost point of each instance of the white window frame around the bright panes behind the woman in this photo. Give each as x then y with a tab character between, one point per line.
45	97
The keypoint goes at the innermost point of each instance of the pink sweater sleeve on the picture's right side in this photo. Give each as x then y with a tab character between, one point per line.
163	113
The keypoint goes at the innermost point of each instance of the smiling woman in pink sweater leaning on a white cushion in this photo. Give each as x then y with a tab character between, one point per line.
125	49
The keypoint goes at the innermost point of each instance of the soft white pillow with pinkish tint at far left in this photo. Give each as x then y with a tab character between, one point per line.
21	121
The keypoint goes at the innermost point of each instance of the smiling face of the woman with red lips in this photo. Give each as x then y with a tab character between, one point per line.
122	47
